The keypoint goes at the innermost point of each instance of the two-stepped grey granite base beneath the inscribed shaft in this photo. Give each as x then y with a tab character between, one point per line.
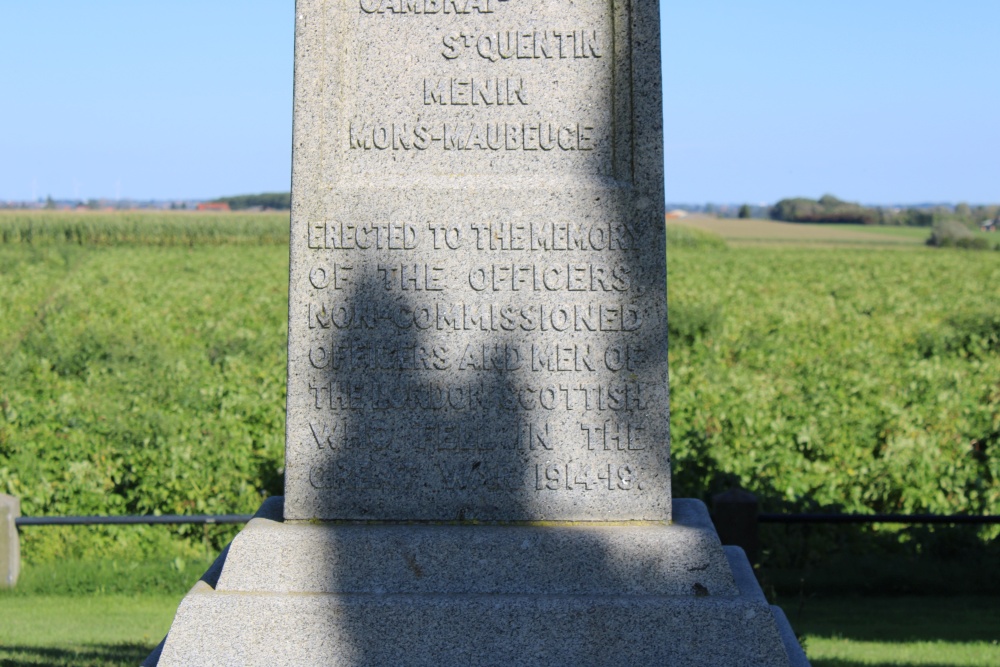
457	595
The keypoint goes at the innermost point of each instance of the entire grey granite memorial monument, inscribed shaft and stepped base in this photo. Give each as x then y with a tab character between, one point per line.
477	445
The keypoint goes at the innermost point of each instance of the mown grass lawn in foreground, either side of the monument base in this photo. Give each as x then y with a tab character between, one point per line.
839	632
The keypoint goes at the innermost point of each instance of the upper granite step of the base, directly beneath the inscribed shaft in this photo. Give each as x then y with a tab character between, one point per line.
583	559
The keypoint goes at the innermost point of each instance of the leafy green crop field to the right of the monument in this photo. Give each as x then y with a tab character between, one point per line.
817	390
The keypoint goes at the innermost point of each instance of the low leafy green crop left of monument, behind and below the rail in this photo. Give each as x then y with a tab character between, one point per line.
140	380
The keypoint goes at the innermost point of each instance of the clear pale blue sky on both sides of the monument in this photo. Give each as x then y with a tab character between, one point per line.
882	101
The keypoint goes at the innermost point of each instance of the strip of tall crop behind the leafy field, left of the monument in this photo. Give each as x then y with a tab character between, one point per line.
89	228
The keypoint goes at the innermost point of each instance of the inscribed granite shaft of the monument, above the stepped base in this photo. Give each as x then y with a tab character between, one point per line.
477	307
